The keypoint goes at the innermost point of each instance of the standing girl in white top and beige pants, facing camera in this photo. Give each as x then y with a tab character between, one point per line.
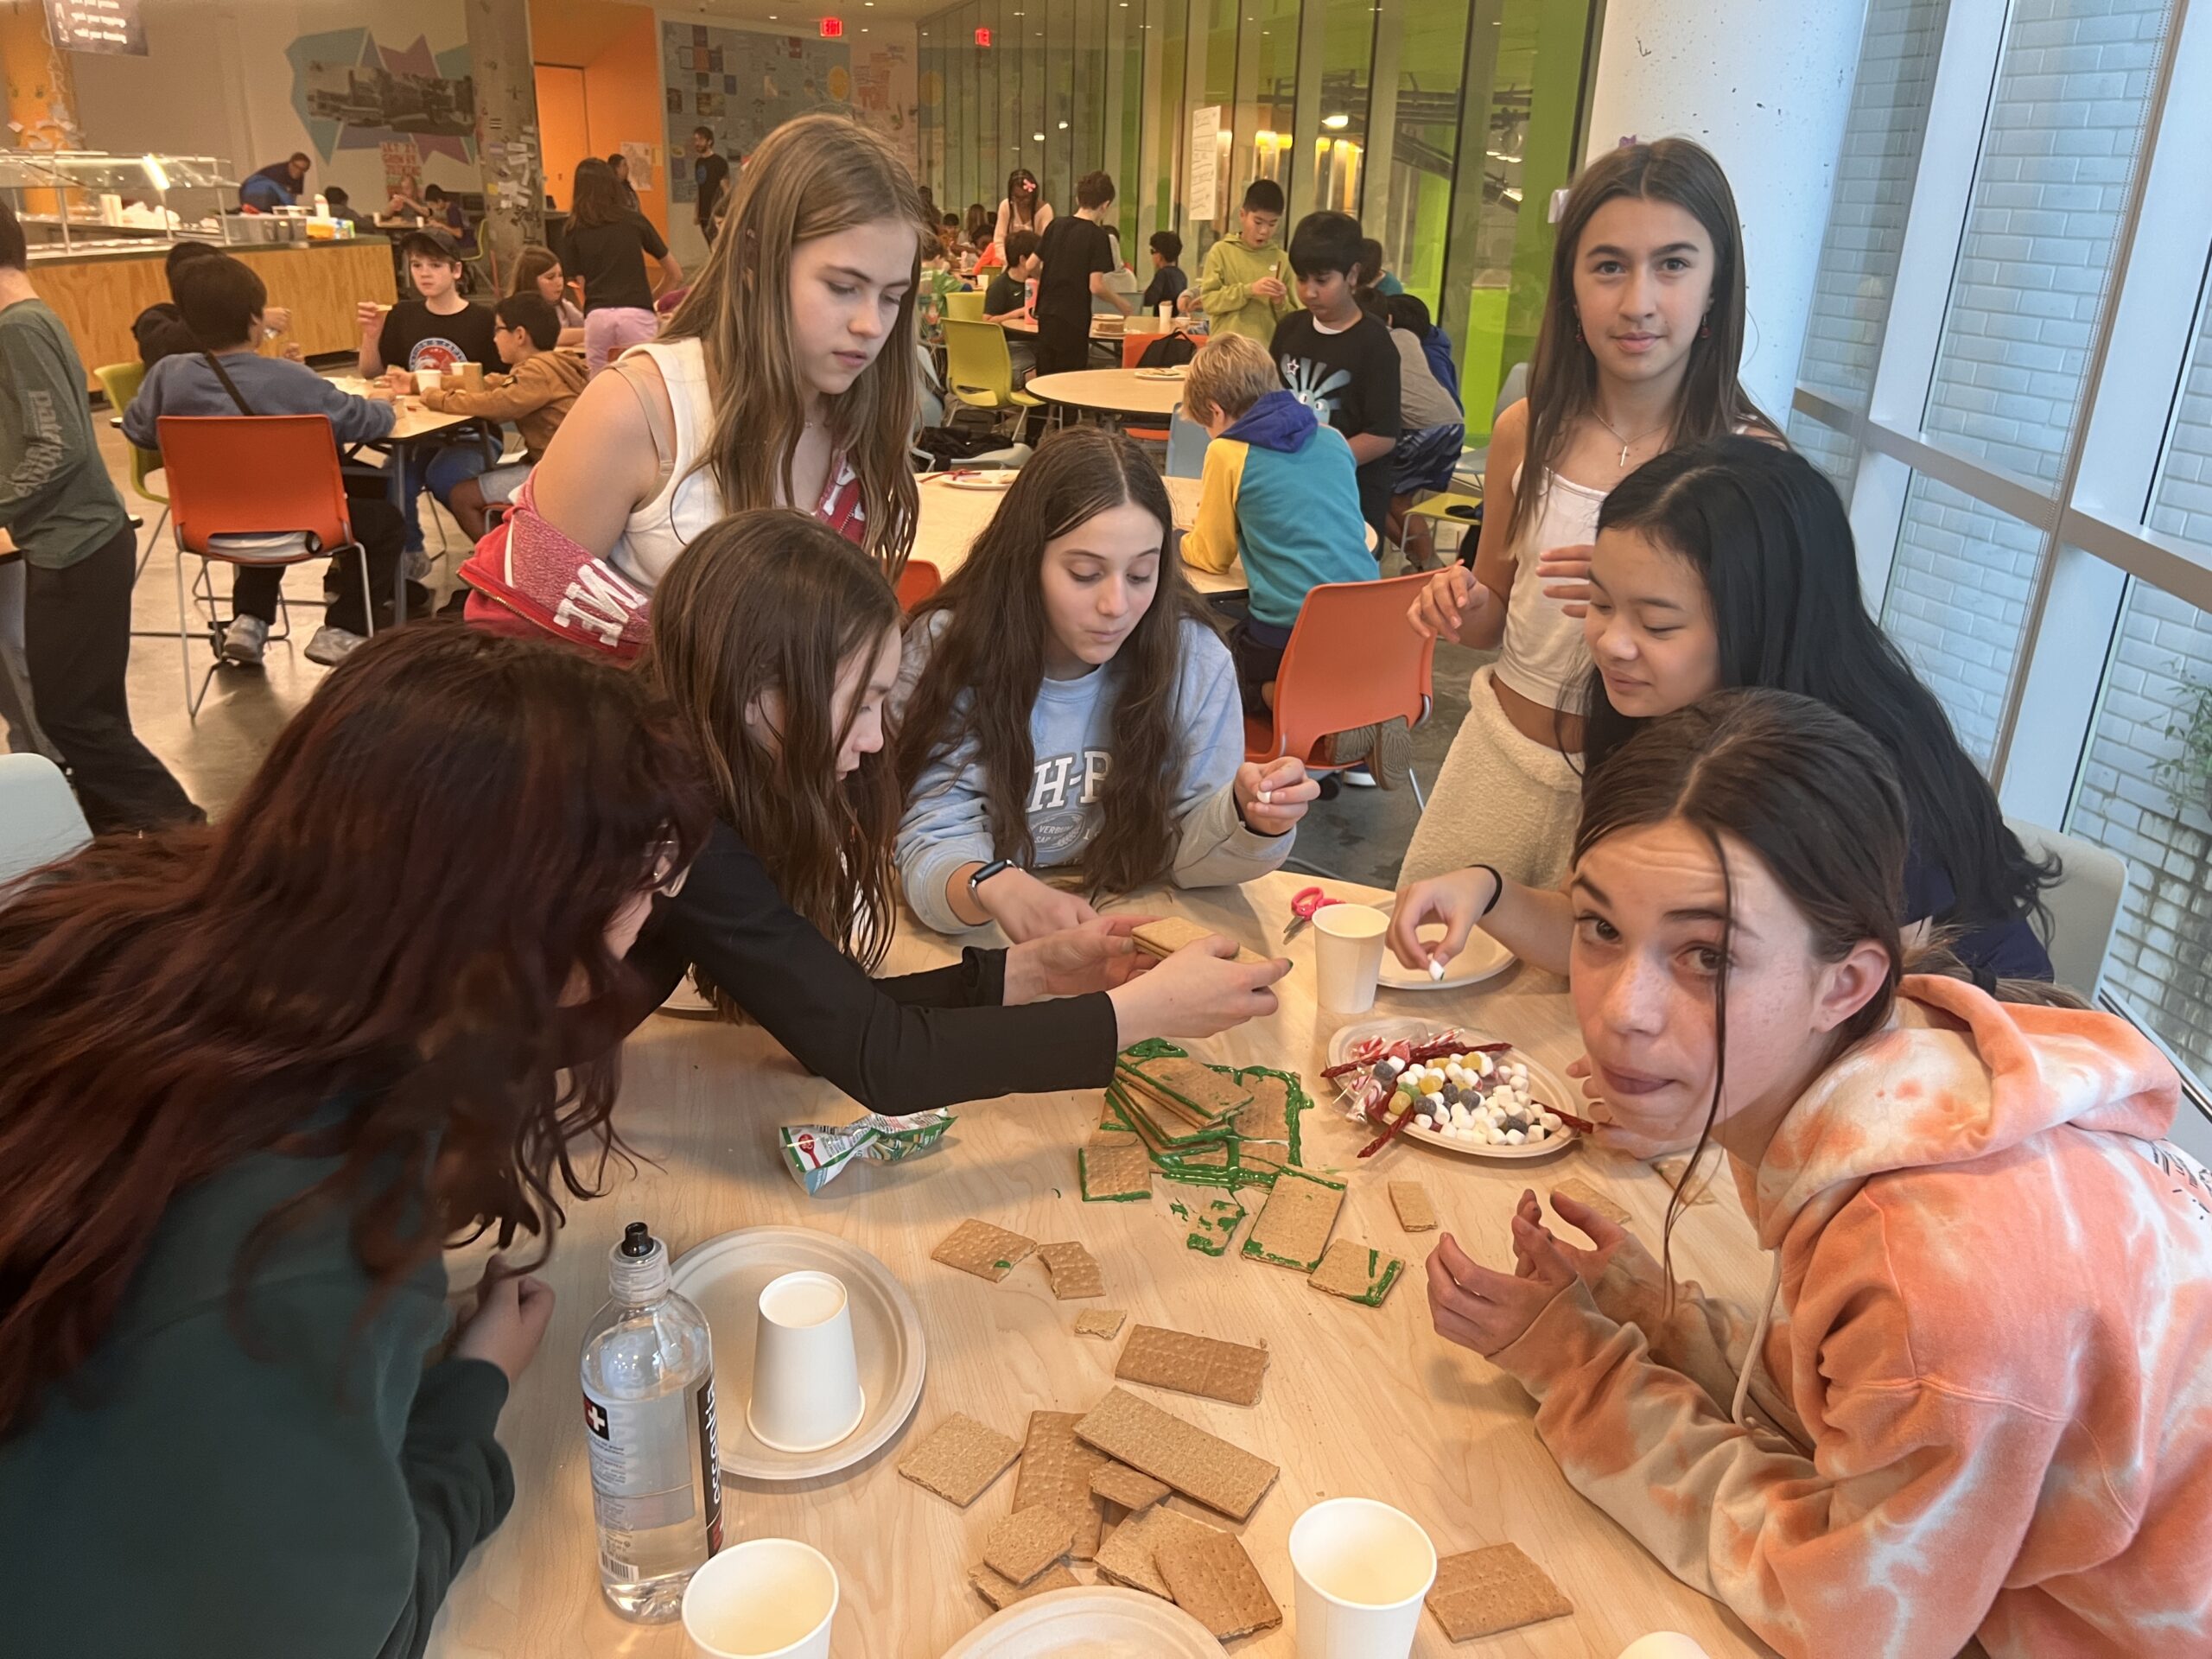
1638	353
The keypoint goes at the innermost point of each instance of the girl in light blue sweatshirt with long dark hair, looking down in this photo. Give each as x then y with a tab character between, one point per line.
1065	702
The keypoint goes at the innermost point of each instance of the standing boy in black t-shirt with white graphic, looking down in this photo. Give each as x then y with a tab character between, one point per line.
1337	359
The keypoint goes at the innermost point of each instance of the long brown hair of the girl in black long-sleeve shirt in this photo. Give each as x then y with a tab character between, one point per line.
775	603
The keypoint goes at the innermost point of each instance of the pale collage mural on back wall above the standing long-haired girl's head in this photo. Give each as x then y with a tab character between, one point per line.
744	85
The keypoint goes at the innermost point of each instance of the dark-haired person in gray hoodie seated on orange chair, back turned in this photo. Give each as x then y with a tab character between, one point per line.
222	302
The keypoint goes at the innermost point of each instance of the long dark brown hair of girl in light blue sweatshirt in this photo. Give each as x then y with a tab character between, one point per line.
988	660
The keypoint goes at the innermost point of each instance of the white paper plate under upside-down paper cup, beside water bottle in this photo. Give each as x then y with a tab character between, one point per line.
727	1275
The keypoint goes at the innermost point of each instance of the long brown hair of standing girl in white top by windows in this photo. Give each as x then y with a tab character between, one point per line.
1563	375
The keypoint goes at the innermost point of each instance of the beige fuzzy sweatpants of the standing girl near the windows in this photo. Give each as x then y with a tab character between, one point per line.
1501	800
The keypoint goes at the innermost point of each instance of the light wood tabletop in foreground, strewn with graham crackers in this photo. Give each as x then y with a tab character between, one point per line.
1359	1401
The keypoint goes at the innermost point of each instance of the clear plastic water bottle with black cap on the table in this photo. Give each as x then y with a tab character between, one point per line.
649	1428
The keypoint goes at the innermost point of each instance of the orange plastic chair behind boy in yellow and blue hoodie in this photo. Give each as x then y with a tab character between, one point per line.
1350	662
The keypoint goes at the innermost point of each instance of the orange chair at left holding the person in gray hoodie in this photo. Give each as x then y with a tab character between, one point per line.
258	490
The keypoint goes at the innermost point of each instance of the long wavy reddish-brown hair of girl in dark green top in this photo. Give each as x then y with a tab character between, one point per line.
368	961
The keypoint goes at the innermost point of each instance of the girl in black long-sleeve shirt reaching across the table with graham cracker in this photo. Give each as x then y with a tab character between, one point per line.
778	643
